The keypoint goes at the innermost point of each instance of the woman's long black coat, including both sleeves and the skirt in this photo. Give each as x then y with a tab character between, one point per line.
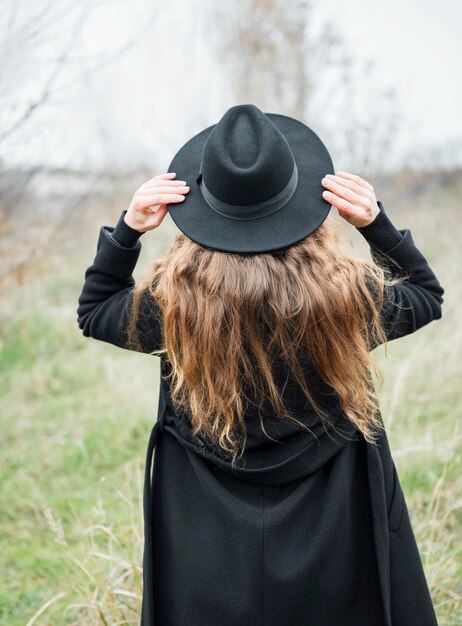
311	531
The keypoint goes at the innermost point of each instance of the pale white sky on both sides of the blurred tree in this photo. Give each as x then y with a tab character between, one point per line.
141	108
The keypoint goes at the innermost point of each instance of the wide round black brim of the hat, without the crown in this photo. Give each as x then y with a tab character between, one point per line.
304	213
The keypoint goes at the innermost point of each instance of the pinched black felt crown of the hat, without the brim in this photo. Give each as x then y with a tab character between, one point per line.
246	159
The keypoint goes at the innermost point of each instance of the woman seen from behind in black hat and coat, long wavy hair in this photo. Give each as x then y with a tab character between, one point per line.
274	498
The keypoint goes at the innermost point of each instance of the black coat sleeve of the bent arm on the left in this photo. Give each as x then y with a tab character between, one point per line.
105	301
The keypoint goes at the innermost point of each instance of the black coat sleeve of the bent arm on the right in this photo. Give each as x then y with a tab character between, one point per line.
418	300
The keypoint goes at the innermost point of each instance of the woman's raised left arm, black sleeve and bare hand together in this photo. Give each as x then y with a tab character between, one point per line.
105	302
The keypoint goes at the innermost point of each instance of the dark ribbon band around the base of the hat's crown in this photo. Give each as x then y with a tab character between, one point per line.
251	211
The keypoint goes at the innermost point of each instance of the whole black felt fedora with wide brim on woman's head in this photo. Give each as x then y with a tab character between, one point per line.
255	182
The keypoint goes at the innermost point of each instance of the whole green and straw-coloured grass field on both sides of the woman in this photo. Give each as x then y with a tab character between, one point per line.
76	416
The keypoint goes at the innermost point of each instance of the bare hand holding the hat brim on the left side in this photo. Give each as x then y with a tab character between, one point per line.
150	202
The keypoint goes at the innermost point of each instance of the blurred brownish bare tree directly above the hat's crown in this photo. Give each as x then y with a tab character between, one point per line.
262	46
